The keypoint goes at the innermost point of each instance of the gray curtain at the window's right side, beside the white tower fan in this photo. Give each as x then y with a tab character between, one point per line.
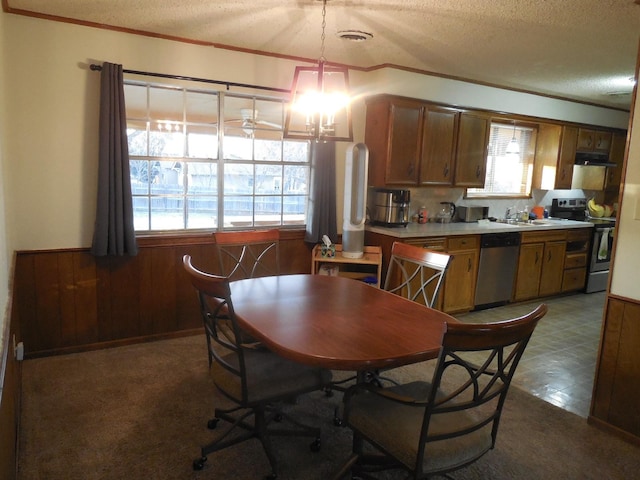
321	218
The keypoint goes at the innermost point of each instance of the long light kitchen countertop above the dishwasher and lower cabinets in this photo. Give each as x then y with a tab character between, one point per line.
414	230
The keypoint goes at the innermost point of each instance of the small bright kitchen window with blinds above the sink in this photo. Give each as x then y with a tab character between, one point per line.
509	169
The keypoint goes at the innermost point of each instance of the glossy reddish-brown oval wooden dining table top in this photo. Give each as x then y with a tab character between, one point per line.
337	322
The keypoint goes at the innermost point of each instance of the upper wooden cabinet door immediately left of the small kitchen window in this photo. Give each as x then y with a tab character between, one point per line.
471	154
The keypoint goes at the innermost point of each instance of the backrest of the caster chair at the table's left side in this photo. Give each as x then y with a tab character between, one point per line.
222	331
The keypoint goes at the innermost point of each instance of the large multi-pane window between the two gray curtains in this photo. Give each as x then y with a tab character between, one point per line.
206	159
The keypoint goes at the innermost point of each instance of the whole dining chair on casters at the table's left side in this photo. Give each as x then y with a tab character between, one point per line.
256	381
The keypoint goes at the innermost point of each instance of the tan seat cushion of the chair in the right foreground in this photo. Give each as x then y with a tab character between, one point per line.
398	430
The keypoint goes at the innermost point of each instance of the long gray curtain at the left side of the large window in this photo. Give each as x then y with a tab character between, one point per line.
114	233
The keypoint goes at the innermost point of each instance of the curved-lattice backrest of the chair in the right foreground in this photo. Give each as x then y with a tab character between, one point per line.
472	377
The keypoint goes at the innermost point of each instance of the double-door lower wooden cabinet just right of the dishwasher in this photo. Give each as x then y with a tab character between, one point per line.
540	264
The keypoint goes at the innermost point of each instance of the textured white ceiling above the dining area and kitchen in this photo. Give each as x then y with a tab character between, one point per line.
584	50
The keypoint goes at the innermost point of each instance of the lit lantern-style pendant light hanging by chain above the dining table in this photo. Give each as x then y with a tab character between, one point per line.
319	108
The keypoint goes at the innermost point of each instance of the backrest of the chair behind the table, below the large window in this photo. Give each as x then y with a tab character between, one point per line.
248	254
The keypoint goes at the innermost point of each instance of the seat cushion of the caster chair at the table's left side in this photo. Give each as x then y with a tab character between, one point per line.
269	377
